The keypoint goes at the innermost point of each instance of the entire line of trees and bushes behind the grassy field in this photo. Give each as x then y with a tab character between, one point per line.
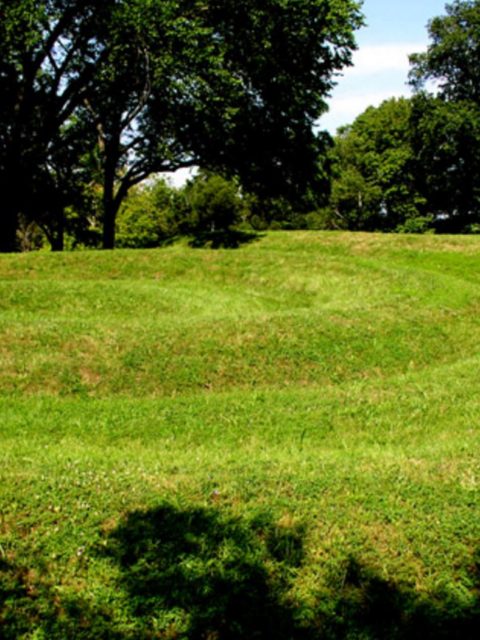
98	99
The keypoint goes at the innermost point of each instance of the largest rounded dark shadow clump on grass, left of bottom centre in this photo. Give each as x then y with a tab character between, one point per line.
209	572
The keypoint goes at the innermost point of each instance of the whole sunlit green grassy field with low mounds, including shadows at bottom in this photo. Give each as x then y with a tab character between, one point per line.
275	442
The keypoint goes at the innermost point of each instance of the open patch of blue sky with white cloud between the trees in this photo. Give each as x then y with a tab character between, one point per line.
394	30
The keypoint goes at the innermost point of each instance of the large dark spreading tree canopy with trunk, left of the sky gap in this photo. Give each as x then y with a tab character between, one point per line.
168	83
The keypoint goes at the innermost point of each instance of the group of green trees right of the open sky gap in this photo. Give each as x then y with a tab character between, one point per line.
415	163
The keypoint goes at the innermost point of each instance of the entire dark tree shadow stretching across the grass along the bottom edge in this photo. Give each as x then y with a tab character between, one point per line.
202	574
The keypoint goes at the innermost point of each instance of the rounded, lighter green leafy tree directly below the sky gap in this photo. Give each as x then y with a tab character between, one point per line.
373	161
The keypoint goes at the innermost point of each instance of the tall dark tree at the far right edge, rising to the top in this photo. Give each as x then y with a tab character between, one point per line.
447	115
